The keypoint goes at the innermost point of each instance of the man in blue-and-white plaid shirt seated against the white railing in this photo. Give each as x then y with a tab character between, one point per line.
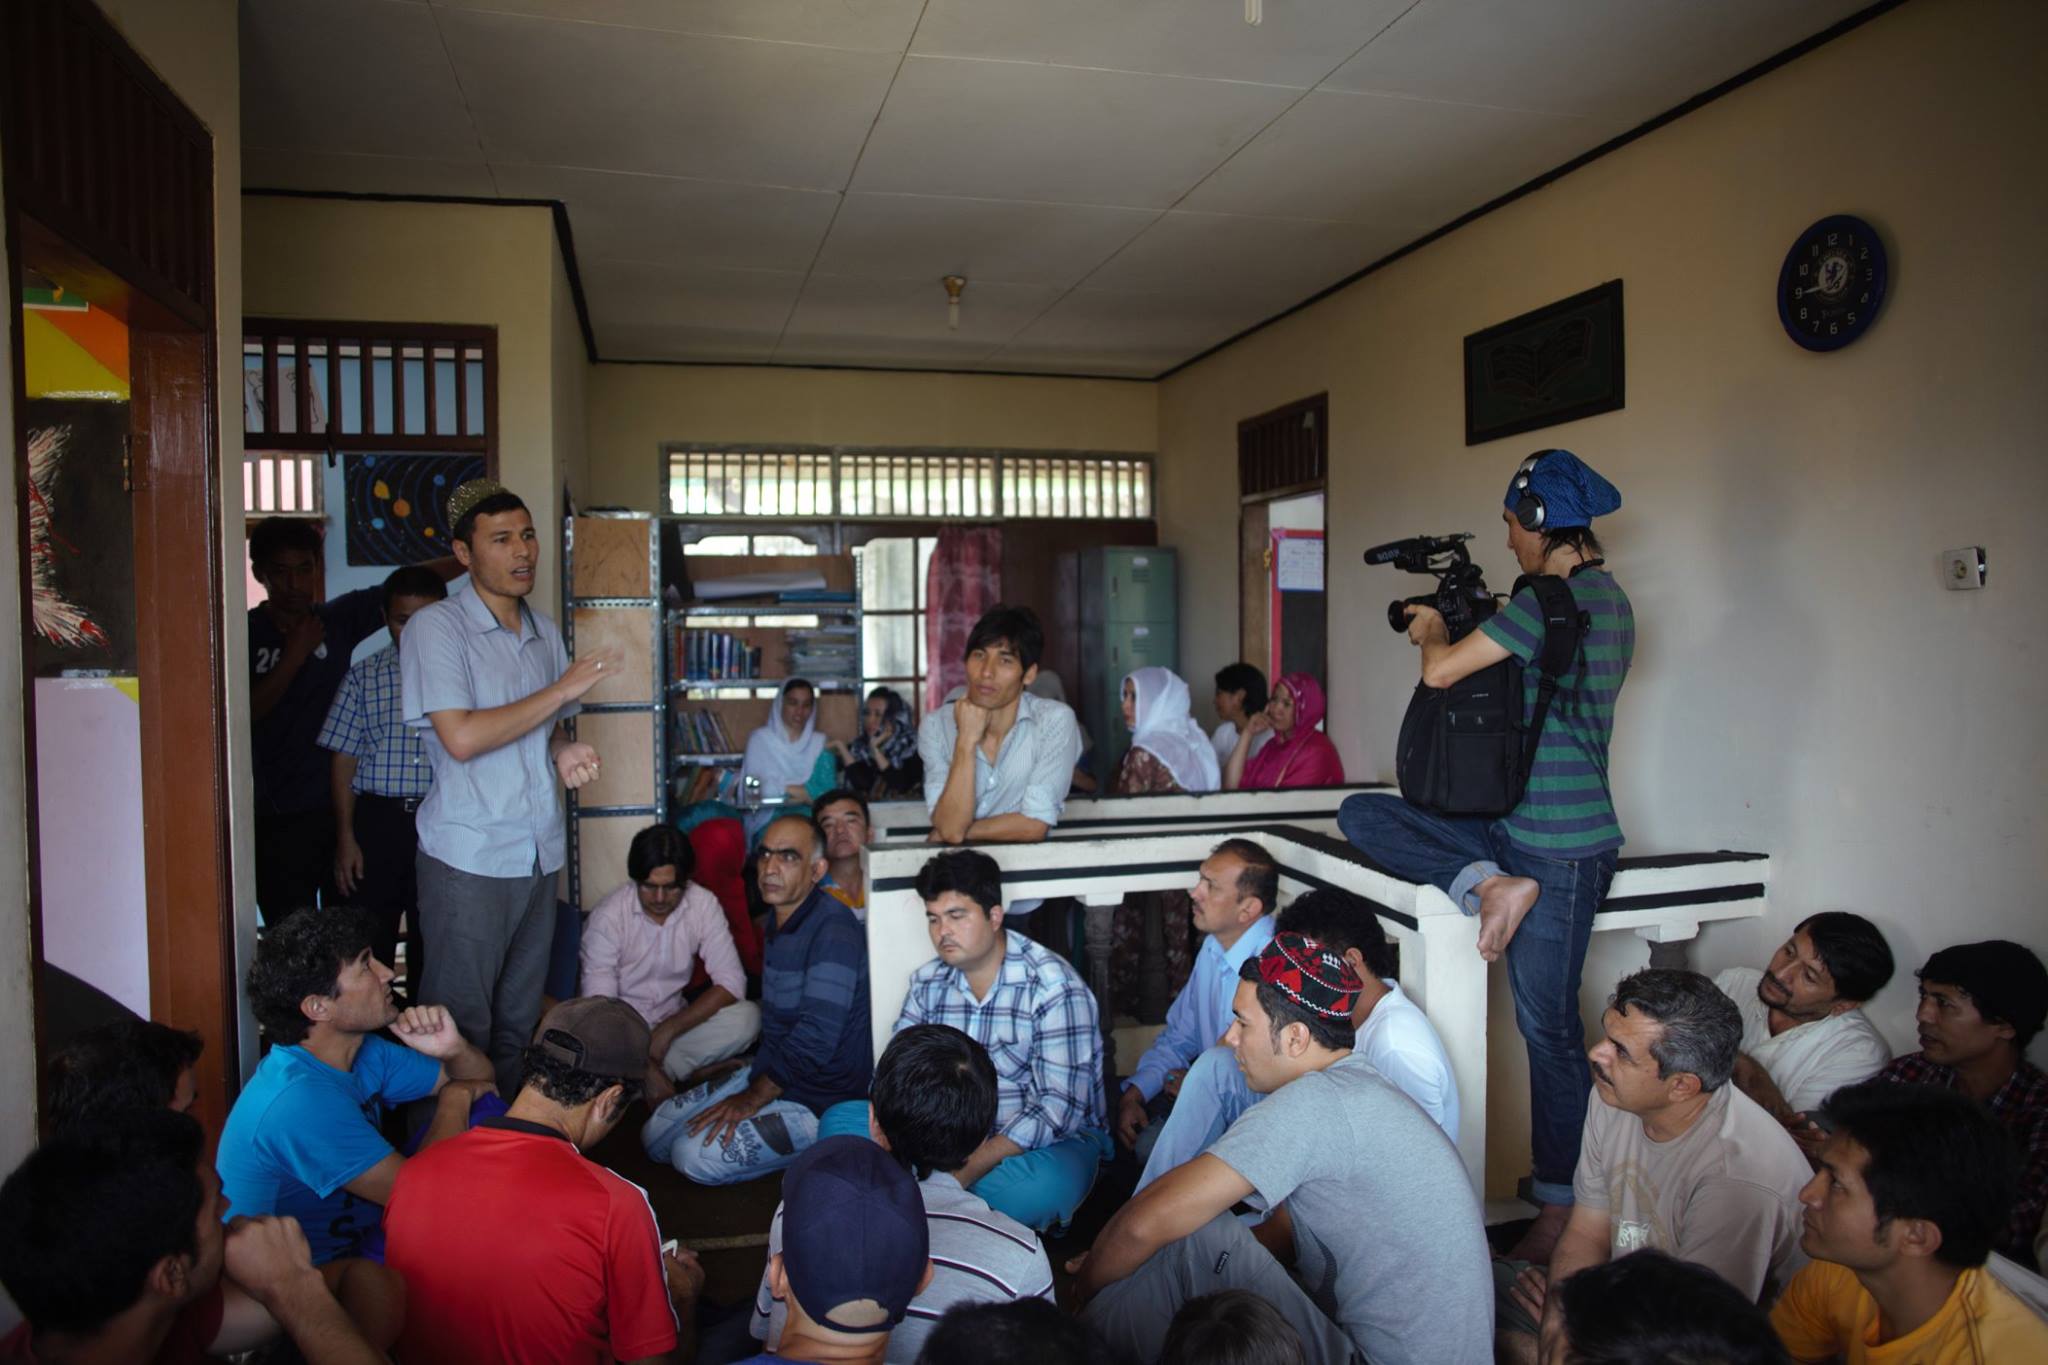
1037	1018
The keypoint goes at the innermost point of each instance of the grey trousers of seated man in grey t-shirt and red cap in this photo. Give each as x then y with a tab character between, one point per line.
1136	1315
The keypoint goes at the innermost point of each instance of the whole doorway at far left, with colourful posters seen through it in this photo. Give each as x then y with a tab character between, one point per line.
110	230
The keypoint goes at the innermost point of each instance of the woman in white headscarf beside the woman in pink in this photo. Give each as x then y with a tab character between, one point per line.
1168	754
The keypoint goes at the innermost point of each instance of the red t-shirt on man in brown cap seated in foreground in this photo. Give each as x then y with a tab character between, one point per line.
517	1249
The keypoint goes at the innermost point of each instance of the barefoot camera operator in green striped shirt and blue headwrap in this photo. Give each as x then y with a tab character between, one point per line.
1537	875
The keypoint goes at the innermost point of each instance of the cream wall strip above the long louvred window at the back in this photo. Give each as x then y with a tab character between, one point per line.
636	408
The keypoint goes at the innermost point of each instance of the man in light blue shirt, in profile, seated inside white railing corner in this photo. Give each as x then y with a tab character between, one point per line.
1234	897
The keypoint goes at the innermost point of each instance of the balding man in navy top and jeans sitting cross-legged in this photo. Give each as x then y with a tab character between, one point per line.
816	1049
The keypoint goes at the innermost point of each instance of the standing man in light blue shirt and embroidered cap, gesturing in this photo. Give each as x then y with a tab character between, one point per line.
488	682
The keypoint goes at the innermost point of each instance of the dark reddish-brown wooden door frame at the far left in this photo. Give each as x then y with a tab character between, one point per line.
157	275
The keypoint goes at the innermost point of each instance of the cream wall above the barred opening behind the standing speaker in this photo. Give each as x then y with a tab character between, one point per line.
468	265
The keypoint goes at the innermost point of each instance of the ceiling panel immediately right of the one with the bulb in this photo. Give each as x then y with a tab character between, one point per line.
1256	255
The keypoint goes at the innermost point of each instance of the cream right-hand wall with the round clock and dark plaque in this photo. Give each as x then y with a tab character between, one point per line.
1803	685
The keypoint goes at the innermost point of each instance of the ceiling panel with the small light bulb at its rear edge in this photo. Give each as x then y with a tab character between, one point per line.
988	240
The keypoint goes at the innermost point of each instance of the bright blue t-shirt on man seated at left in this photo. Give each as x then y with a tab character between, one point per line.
302	1131
